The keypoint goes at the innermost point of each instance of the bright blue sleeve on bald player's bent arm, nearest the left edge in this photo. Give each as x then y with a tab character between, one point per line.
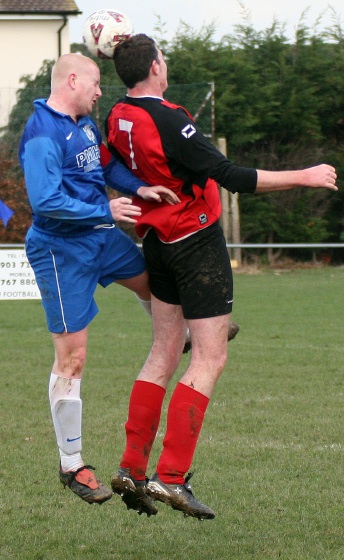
42	160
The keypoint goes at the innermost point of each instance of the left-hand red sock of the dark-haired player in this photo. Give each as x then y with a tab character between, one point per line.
143	421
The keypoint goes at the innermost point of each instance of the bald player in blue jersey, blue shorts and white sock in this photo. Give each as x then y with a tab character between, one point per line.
74	244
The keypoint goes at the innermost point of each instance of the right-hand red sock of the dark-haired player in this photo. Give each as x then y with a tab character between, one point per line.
184	422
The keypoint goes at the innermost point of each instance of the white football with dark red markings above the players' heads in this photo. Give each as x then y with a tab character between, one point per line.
105	29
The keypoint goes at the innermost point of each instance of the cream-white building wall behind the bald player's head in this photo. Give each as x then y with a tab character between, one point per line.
26	43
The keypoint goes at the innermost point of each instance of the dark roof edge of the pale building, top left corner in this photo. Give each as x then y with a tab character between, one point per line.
24	7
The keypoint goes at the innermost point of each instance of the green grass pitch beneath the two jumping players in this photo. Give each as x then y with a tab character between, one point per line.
270	455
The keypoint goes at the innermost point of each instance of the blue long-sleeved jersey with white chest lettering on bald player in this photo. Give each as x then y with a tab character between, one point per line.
65	181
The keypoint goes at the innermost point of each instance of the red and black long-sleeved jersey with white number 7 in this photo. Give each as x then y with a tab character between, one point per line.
162	145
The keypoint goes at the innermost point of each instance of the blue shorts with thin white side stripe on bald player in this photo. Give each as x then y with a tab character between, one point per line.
68	269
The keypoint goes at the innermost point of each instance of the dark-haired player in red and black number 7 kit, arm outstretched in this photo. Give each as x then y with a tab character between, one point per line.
189	270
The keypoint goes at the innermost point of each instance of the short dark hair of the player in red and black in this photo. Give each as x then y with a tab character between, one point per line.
133	59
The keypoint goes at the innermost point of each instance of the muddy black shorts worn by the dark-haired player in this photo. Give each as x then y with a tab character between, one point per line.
195	272
